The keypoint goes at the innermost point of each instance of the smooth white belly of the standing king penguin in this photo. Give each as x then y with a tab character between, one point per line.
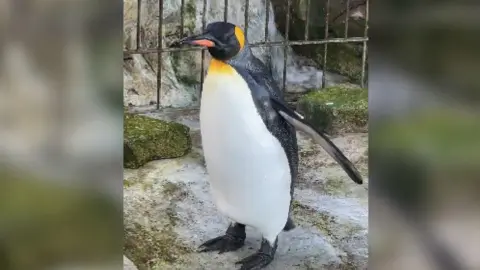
248	169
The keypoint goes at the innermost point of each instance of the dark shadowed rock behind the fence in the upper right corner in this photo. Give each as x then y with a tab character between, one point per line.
342	58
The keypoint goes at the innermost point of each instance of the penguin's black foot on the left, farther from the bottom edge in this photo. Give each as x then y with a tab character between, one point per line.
233	239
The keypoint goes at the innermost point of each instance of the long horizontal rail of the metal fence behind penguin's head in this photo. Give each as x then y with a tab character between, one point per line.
257	44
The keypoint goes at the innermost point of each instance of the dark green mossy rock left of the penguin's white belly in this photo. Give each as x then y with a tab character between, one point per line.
147	139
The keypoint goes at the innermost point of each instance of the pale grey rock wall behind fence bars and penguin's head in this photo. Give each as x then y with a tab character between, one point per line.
181	71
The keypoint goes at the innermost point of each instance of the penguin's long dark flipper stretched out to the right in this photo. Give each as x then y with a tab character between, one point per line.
298	122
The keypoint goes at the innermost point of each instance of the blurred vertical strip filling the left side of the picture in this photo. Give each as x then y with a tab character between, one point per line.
60	134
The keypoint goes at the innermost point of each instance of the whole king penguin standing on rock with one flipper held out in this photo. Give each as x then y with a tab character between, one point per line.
249	142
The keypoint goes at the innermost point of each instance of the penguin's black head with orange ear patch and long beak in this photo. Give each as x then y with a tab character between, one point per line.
224	40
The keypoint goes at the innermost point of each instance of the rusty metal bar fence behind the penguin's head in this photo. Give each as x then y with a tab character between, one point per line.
286	43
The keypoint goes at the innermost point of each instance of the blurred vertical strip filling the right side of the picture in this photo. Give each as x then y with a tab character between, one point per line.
424	135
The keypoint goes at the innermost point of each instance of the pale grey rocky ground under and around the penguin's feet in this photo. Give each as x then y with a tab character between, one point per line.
168	212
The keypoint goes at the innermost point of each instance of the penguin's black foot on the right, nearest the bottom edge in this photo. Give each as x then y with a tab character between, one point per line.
262	258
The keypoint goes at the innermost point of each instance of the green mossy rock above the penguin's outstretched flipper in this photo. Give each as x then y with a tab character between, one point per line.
337	109
